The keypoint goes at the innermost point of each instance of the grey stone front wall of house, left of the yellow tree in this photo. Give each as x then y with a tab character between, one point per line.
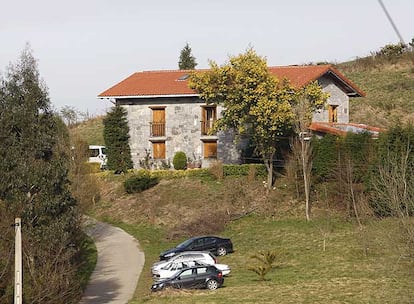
183	130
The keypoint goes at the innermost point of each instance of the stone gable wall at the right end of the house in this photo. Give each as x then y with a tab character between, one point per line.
337	97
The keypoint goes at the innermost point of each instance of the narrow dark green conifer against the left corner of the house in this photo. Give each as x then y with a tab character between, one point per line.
116	136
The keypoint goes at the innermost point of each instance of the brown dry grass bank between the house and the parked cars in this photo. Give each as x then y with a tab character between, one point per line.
186	207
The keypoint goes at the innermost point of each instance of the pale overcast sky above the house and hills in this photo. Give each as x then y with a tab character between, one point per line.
83	47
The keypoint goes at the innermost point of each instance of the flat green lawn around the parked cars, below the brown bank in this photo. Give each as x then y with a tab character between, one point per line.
357	266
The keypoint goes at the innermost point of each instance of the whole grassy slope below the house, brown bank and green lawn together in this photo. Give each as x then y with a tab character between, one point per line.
329	260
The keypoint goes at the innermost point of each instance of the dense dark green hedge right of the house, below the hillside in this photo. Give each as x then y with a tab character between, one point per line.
382	168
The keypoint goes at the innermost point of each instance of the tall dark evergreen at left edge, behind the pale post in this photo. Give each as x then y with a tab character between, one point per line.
34	152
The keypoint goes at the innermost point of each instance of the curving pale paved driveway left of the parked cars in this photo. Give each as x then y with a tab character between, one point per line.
117	270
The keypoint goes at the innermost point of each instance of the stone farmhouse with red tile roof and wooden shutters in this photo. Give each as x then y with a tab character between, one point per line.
165	116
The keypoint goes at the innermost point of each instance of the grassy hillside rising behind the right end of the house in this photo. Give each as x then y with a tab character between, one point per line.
389	86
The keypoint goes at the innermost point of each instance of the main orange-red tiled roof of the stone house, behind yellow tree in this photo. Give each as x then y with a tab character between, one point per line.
168	83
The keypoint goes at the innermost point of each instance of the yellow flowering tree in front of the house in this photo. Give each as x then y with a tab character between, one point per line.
256	103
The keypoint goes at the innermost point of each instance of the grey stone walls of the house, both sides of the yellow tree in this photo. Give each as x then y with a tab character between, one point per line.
183	116
